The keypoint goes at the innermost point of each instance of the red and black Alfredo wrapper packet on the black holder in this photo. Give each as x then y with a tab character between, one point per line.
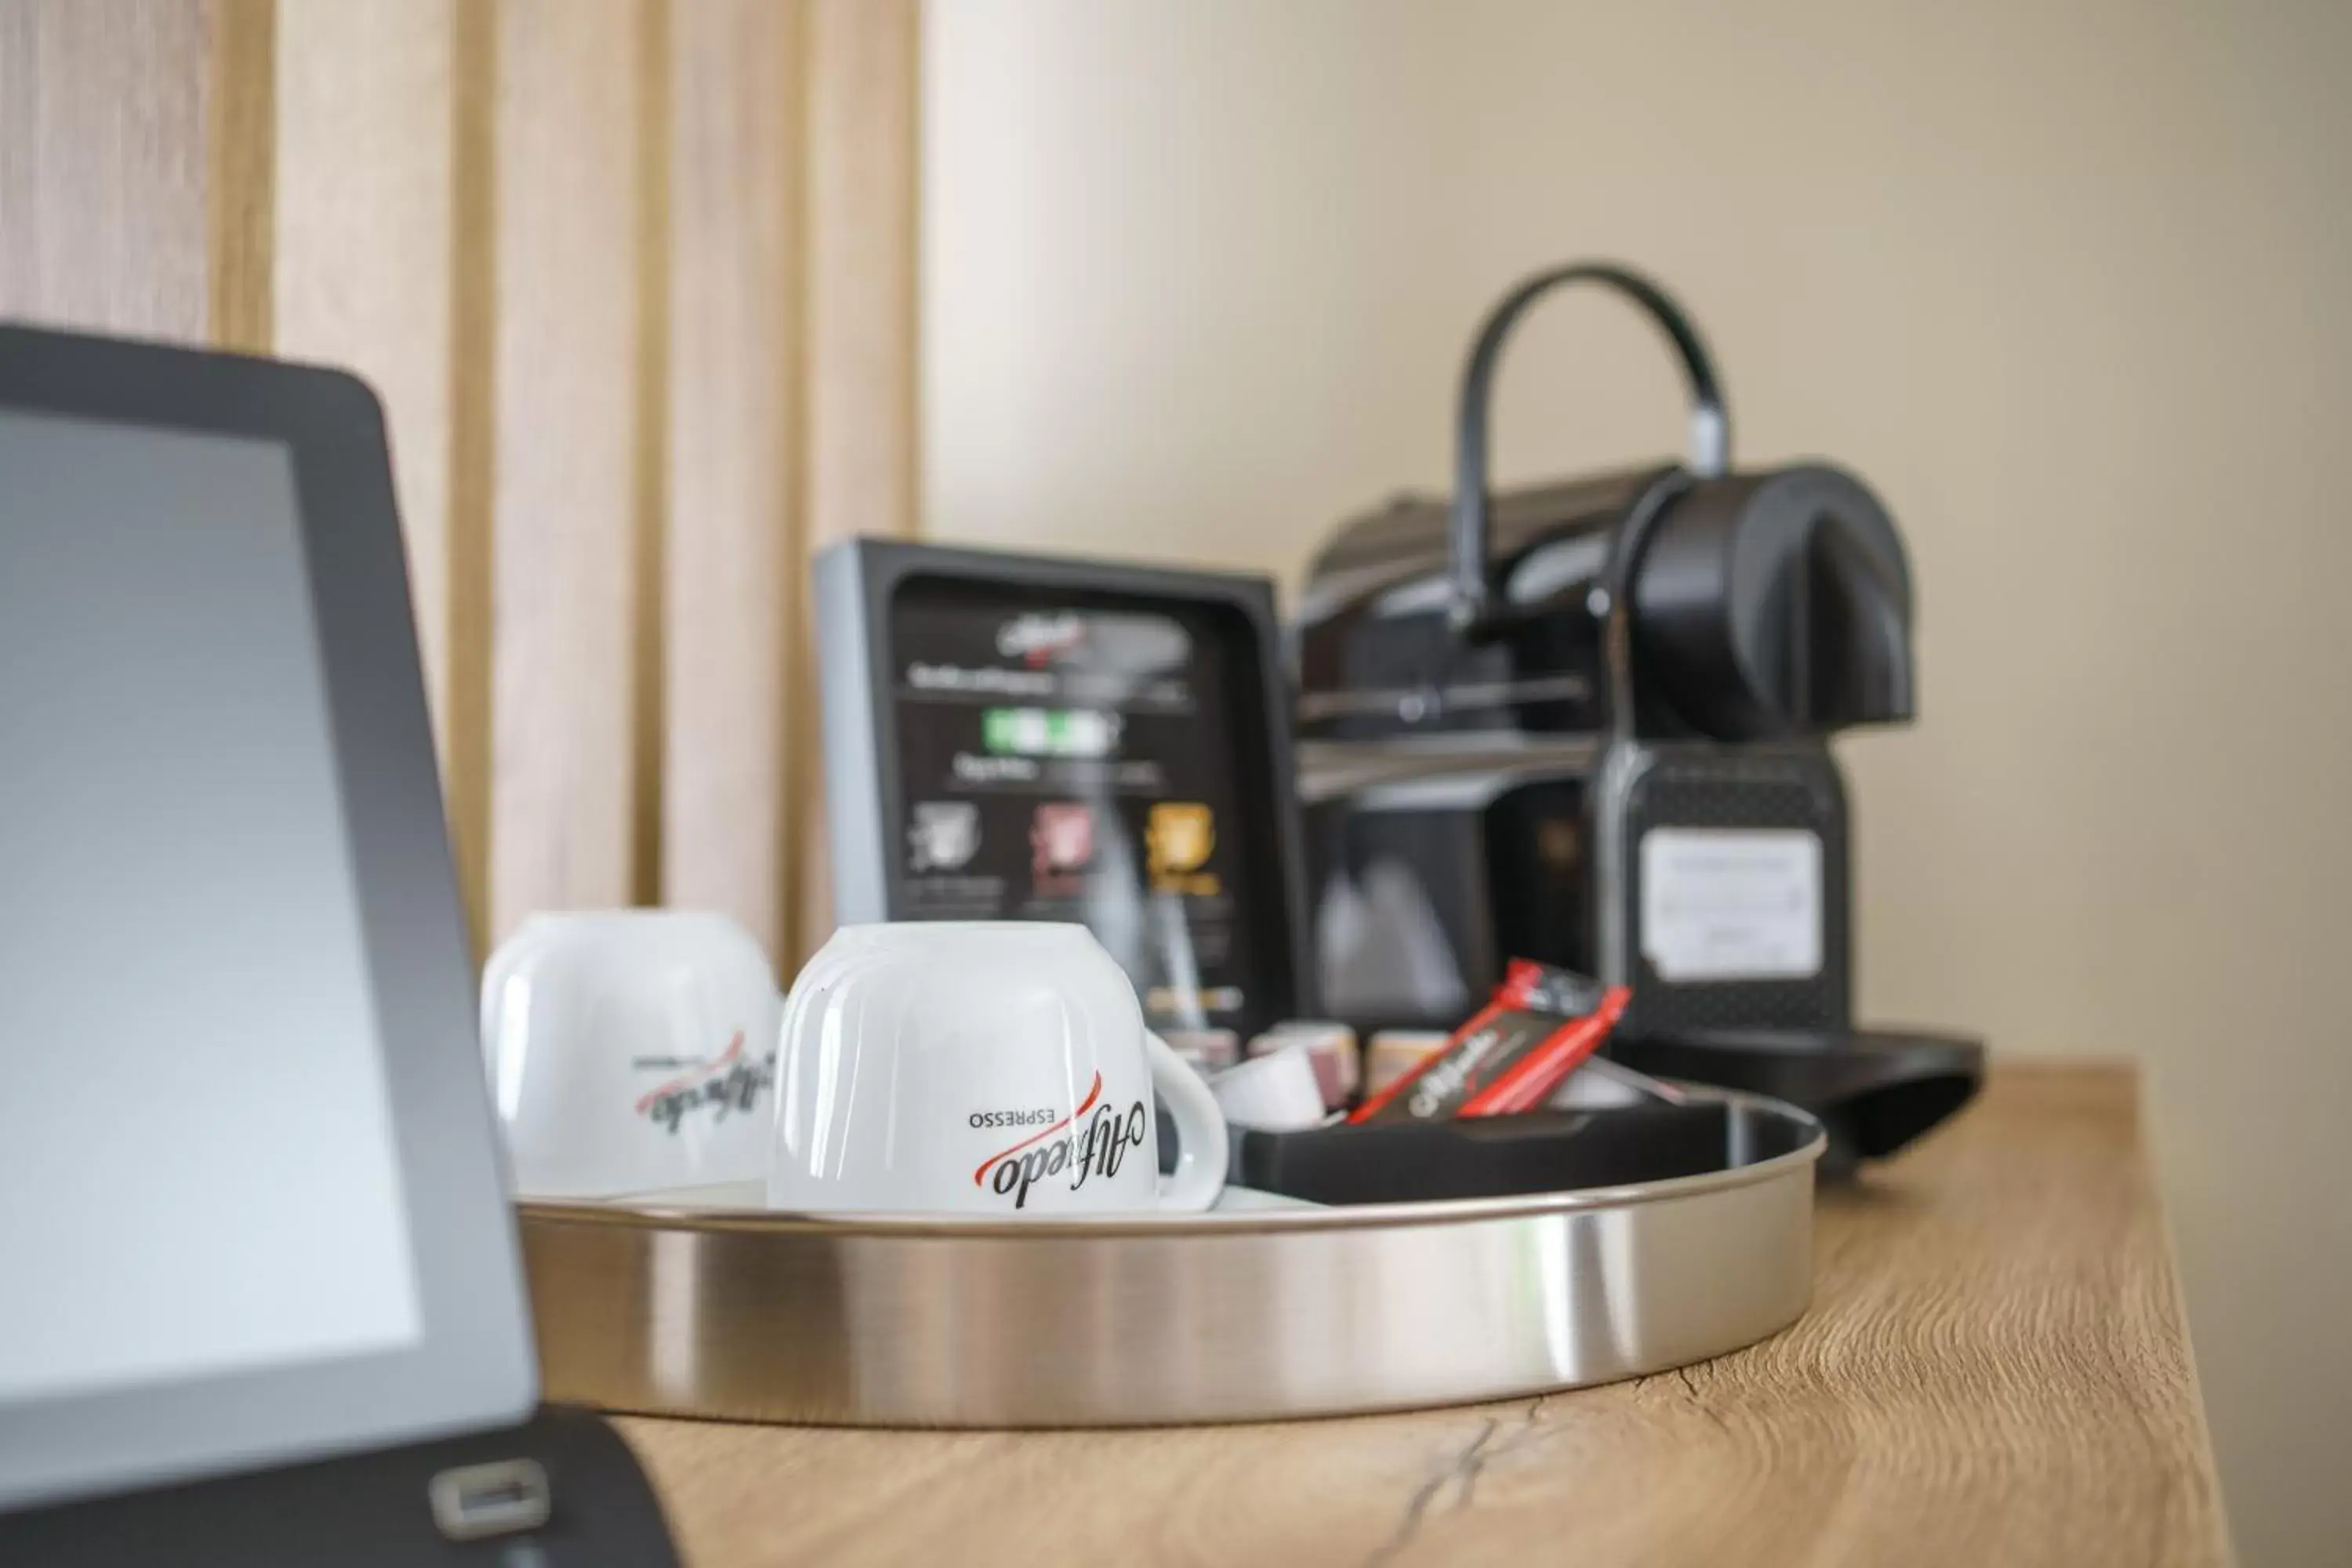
1514	1054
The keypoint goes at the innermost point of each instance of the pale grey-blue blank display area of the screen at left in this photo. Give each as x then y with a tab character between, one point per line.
194	1104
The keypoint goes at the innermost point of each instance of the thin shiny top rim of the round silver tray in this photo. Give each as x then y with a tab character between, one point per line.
1203	1226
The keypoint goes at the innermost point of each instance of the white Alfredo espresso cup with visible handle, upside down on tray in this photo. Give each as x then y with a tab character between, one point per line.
989	1071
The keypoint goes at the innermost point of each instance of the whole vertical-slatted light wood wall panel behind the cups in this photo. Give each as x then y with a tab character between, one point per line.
636	283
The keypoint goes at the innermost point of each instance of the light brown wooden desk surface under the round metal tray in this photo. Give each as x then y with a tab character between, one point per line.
1996	1372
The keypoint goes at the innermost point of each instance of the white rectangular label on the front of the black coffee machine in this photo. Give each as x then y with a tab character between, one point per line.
1732	904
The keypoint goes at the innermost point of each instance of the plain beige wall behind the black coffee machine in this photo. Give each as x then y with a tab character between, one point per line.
2069	283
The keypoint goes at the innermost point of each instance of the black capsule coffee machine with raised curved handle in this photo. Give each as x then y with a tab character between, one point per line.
1589	723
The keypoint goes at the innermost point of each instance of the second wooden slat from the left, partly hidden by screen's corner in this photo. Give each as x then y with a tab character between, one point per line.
363	248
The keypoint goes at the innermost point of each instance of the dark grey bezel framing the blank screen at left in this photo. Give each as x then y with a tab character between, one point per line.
474	1365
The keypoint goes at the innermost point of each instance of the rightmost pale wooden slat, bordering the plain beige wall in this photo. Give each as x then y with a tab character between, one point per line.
864	102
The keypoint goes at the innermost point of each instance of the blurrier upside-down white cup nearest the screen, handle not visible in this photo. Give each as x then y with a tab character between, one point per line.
632	1052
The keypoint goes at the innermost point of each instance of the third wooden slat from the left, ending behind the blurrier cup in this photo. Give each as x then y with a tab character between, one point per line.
566	460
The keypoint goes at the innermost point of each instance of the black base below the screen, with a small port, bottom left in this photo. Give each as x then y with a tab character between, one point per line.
368	1510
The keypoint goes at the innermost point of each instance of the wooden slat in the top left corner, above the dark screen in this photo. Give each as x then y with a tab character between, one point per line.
105	182
